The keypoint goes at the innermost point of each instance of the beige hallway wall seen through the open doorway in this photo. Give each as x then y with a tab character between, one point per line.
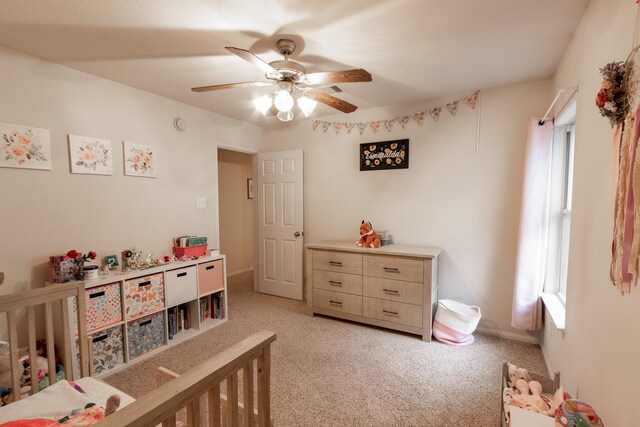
236	210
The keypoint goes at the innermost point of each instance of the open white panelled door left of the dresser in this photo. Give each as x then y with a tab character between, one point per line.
280	224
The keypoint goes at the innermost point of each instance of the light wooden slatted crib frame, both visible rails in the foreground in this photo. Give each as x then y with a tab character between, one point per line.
252	357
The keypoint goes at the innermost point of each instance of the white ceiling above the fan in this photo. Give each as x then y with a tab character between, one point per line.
414	49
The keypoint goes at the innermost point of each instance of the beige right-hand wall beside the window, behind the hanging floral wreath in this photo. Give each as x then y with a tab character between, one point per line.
598	357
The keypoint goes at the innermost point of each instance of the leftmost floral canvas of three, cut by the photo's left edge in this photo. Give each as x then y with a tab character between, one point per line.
24	147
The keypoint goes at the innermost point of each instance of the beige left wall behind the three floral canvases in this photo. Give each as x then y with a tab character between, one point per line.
43	213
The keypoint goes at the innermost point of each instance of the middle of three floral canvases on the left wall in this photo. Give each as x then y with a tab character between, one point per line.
90	155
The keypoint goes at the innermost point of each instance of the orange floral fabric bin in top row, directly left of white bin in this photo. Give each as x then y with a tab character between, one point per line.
143	295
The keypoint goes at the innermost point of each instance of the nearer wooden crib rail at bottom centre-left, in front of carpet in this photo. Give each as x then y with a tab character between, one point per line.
198	390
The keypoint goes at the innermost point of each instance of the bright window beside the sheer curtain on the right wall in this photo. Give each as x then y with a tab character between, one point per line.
560	204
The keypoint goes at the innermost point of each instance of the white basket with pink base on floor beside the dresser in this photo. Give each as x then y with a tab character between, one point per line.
455	322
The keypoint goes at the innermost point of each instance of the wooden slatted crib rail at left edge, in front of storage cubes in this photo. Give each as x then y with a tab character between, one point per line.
15	305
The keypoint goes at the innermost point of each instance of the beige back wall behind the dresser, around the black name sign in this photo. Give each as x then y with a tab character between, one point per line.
452	197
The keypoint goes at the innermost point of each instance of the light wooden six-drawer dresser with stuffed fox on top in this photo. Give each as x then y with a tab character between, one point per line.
394	286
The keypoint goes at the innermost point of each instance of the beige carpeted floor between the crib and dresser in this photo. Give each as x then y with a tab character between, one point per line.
328	372
